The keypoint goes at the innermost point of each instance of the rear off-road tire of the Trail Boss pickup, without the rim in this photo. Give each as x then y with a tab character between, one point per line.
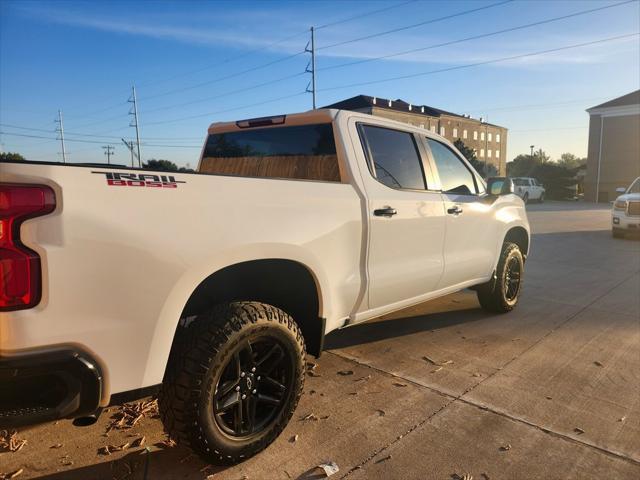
198	358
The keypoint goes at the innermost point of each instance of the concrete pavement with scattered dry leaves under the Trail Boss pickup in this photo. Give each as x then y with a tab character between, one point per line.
442	390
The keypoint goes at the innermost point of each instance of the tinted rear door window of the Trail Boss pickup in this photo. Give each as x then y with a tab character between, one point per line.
395	157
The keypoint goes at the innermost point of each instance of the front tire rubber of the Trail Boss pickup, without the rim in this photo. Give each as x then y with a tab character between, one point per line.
491	295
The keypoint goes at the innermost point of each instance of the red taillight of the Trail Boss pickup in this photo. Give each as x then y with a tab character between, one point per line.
20	272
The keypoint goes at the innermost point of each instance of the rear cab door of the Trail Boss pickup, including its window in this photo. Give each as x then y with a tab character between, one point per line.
406	220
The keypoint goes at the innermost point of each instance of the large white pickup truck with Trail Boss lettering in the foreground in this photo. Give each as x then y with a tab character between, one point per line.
213	285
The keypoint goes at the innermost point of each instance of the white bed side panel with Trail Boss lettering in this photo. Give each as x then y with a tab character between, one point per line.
120	260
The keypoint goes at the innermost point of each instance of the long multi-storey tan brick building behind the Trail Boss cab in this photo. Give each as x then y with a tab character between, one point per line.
488	140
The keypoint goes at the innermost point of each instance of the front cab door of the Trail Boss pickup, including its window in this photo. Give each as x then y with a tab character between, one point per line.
471	229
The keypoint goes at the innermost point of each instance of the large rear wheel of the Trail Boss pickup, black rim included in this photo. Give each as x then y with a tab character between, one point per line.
233	381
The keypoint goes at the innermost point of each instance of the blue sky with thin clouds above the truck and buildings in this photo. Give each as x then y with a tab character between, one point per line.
197	62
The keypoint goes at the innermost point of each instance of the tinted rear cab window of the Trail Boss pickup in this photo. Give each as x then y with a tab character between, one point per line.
299	152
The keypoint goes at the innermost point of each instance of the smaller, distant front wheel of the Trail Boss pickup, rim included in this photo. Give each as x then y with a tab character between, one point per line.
501	295
